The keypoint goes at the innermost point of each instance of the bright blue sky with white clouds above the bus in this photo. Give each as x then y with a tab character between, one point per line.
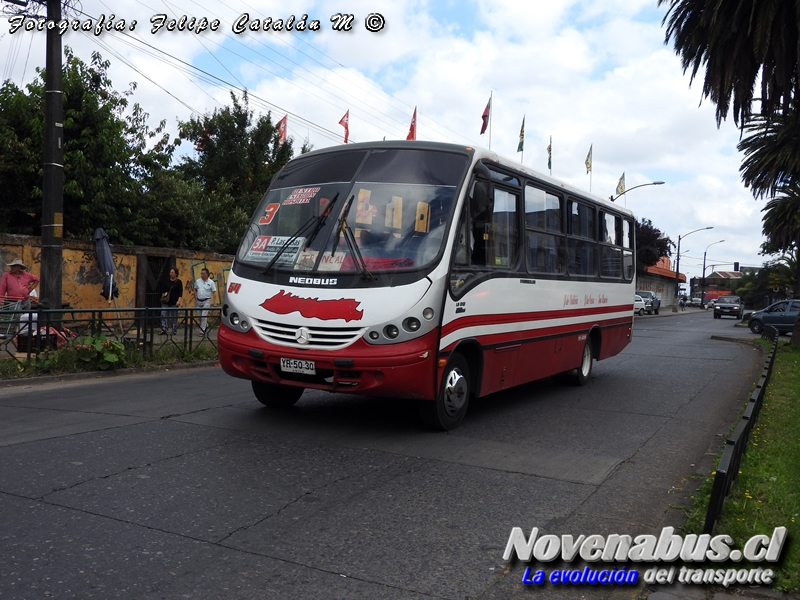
586	73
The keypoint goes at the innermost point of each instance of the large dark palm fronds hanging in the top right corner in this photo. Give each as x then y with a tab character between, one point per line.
738	42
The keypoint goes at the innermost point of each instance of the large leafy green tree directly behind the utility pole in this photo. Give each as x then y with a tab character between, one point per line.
108	153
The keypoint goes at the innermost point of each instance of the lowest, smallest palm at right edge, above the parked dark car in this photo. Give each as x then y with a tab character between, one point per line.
781	226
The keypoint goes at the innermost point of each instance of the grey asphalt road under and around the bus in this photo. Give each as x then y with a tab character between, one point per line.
180	485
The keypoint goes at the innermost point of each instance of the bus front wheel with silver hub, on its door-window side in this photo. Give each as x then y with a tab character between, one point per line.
448	410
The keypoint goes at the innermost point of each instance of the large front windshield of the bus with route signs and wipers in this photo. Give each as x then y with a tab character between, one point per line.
352	211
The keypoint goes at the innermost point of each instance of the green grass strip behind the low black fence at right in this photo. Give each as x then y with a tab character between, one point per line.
766	493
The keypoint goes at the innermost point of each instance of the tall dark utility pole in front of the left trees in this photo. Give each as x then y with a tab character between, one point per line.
53	168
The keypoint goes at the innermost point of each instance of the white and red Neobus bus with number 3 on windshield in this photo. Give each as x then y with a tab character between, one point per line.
427	271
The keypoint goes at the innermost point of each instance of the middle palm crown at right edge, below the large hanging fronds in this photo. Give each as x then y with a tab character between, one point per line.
771	148
